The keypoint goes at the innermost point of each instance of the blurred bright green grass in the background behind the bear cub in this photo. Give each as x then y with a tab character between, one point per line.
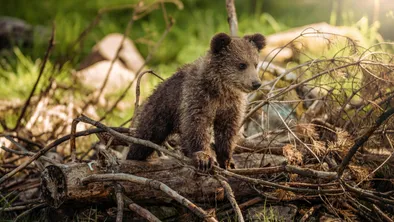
189	38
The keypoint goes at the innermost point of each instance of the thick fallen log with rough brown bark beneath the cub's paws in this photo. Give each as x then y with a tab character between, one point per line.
60	183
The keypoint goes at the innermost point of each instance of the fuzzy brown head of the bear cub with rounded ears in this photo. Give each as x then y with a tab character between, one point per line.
236	60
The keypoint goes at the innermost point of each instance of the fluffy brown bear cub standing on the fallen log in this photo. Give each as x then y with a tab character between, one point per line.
209	93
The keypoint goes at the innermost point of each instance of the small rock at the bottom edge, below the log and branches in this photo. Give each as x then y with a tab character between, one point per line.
271	213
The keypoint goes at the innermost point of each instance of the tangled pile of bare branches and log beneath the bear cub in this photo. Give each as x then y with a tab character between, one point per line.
173	178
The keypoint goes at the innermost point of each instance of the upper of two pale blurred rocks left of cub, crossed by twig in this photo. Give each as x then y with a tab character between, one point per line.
106	49
